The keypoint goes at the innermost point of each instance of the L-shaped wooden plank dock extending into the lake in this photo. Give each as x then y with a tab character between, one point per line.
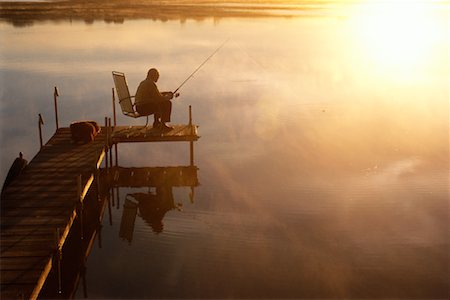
39	207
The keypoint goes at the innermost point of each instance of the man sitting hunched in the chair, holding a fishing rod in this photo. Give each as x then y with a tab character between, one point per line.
150	101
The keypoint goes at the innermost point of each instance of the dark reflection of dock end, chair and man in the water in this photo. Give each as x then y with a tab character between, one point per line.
151	206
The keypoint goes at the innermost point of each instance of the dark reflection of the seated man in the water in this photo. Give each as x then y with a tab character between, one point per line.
153	207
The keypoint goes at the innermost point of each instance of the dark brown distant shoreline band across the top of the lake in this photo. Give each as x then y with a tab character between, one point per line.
117	11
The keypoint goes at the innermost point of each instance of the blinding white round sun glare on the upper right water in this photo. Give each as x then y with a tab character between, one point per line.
399	36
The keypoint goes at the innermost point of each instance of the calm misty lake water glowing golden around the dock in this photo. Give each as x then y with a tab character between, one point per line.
323	159
